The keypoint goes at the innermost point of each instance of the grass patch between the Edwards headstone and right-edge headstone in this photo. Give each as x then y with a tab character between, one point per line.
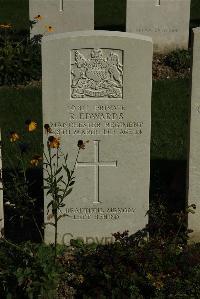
170	106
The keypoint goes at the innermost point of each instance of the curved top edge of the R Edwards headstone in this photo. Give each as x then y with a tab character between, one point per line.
89	33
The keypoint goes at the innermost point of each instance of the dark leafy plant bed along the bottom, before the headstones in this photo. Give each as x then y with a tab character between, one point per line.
142	265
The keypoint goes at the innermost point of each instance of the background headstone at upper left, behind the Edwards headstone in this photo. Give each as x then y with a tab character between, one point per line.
62	15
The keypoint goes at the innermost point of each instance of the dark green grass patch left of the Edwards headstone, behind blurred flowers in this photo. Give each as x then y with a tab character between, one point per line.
16	106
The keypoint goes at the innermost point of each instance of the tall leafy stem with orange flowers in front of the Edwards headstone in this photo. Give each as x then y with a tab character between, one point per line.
56	185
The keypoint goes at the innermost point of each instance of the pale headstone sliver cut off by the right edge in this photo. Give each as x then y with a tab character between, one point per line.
194	158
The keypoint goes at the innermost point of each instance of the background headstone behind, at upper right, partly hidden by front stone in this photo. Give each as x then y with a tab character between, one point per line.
166	21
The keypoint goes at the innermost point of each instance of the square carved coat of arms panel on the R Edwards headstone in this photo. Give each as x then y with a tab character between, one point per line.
96	73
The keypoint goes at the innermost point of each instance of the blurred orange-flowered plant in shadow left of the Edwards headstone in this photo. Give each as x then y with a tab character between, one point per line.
22	184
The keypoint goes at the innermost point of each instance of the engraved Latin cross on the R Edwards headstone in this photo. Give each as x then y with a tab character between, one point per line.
96	164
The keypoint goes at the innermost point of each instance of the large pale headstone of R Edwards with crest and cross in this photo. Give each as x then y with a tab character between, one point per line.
98	88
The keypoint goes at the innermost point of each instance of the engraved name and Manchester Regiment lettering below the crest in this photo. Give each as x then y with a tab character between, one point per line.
97	120
